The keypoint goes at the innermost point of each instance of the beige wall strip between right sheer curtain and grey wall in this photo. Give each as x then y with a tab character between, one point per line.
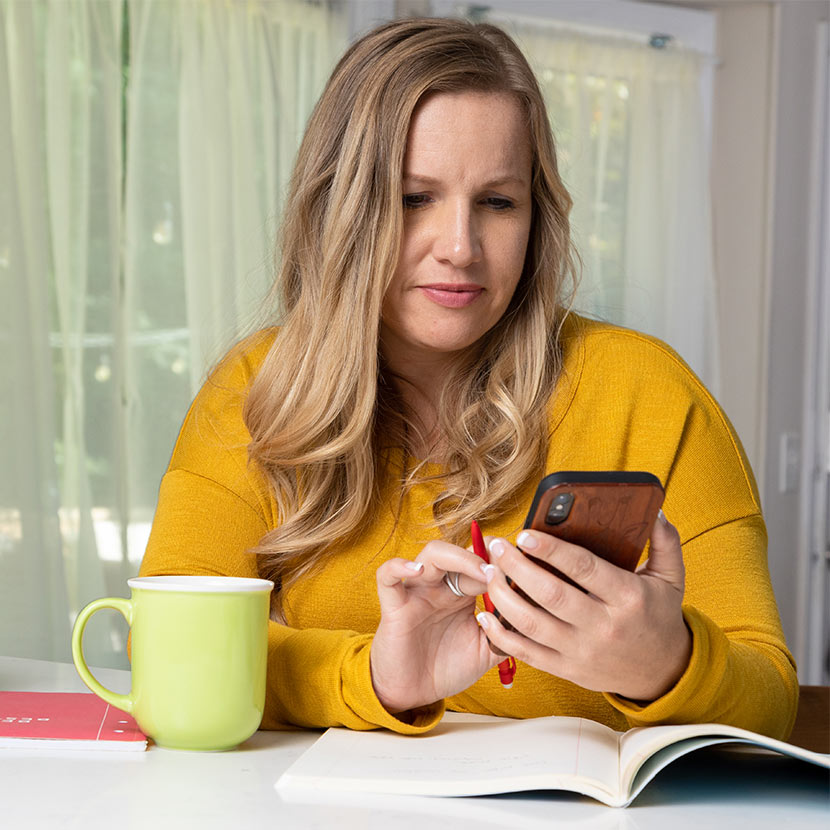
740	198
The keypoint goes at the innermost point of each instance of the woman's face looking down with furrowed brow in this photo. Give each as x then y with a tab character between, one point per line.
467	210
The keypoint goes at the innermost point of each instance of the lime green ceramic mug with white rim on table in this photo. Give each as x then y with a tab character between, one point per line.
199	654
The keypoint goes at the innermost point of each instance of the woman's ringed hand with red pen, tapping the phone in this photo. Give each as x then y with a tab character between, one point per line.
428	644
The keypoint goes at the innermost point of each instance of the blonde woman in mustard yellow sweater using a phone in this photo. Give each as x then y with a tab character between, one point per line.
427	373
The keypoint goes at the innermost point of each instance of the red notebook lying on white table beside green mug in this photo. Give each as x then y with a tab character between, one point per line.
66	720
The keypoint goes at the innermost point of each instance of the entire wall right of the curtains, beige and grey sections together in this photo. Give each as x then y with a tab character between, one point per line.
763	130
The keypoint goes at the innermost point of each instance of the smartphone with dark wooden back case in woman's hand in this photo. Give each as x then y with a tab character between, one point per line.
609	513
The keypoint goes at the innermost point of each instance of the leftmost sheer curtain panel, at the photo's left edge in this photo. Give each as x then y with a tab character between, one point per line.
59	178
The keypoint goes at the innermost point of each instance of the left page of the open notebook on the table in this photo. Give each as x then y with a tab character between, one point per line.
464	756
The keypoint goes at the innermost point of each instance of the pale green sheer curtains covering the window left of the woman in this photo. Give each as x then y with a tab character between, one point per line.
144	150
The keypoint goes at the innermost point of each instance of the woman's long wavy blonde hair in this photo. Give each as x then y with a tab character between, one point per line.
323	413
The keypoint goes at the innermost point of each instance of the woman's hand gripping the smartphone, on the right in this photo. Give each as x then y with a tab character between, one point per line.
626	635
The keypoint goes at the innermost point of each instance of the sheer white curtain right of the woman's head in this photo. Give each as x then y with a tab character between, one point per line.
628	121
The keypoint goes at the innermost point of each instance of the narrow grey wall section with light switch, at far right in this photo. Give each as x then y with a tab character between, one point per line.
795	26
